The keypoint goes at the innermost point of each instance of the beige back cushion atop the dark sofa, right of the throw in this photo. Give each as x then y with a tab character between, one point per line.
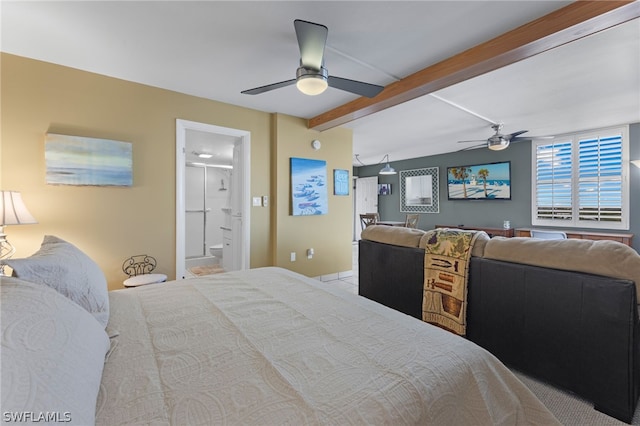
604	257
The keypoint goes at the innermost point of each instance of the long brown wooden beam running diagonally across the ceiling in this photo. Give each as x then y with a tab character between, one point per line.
572	22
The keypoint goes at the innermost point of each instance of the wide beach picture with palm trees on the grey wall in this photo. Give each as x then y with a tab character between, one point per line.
480	182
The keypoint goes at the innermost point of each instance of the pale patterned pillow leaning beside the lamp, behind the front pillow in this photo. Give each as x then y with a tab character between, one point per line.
64	267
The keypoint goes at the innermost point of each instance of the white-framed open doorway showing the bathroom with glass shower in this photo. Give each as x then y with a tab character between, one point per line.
212	199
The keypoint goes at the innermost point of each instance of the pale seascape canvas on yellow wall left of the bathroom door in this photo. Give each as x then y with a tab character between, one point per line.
77	160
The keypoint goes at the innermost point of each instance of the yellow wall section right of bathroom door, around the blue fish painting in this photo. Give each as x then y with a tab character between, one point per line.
329	235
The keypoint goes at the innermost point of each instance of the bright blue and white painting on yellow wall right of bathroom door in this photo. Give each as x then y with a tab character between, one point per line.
308	187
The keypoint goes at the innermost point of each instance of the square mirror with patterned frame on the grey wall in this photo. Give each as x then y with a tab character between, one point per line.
419	191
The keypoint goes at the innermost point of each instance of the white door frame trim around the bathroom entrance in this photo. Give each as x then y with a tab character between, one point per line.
181	136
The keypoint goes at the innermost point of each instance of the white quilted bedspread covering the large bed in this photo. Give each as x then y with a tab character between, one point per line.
271	347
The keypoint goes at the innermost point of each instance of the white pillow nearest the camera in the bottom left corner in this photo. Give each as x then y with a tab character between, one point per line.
53	355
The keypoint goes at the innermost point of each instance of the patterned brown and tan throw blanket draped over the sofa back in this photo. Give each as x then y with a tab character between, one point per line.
446	267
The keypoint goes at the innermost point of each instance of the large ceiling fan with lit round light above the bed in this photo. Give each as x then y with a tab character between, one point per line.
312	78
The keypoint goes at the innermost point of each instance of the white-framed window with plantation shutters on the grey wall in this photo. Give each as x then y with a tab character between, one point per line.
580	180
